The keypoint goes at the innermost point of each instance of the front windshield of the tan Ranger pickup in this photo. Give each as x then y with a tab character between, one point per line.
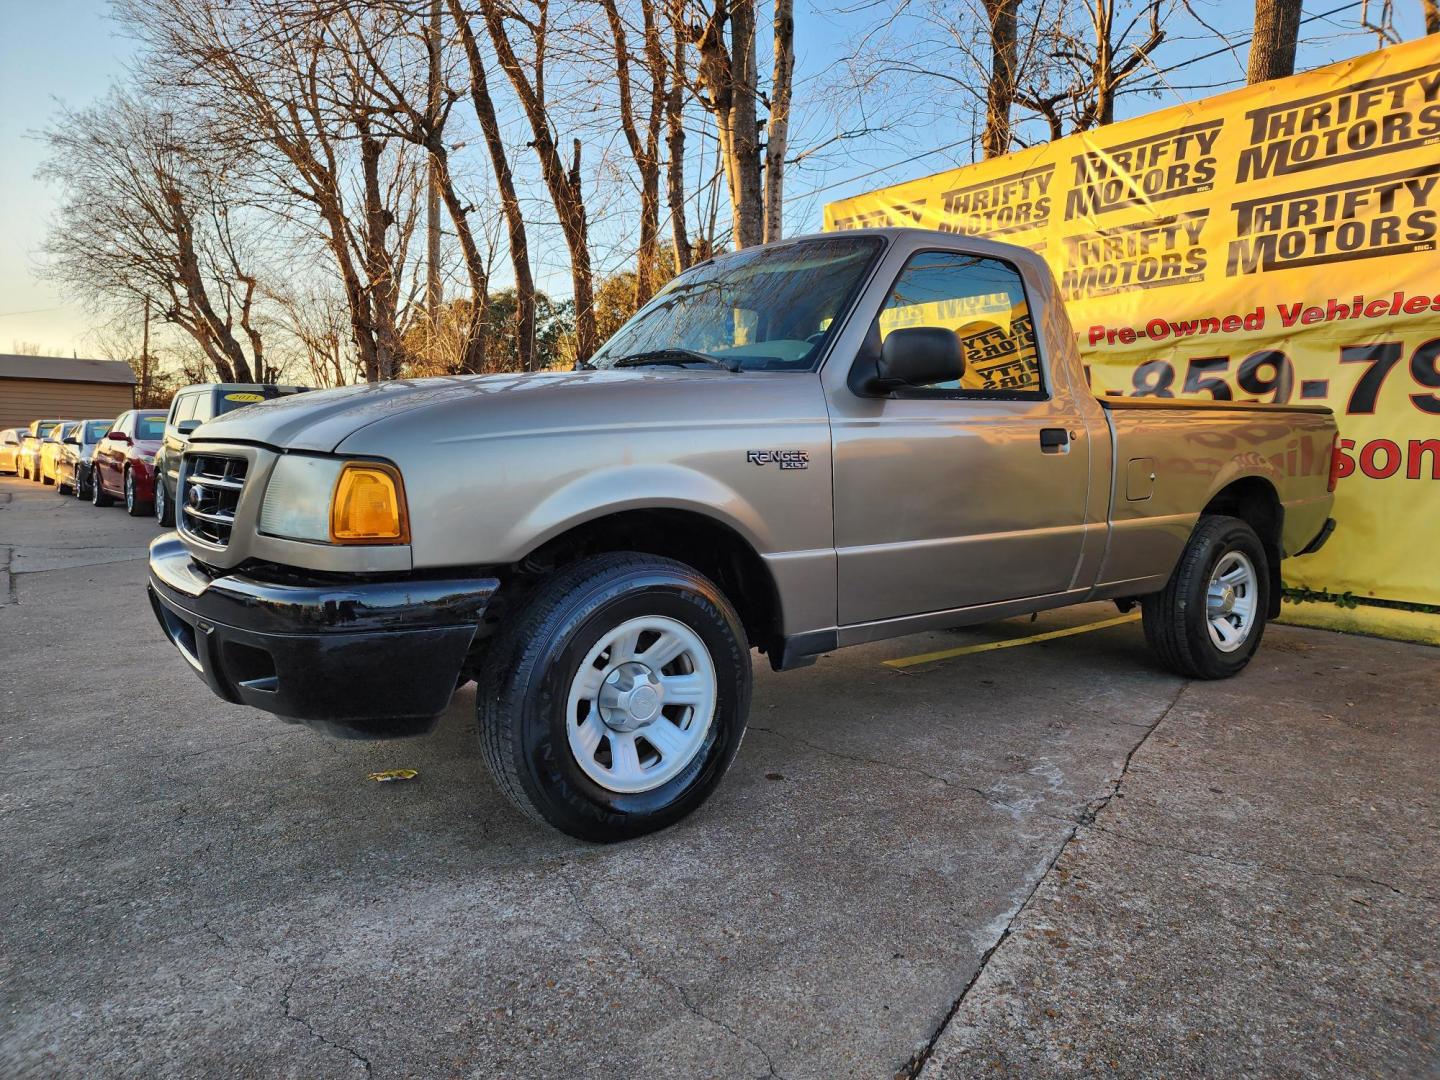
757	310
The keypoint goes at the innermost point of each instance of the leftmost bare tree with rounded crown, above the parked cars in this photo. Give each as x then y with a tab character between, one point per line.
148	215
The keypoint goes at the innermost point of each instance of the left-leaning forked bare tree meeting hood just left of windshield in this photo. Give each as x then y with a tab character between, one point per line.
562	182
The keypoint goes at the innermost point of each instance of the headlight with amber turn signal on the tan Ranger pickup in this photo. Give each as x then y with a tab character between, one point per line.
338	502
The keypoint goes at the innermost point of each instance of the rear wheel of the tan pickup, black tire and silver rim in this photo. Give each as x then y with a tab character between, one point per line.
1186	624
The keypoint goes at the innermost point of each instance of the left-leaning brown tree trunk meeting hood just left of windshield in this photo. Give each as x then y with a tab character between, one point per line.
564	185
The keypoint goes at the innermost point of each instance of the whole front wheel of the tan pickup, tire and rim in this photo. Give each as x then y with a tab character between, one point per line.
528	695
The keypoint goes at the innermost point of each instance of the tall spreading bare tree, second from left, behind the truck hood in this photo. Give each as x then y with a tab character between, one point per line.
279	77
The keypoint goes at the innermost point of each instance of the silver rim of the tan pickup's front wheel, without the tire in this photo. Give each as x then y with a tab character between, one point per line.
642	705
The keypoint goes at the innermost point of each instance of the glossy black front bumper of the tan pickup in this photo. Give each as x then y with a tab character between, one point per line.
369	660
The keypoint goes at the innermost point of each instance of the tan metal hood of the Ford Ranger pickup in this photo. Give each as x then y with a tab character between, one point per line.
457	408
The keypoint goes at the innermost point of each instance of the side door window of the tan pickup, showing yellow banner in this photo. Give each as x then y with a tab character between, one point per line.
984	303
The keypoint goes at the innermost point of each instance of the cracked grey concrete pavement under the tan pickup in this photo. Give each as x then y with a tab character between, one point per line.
1050	860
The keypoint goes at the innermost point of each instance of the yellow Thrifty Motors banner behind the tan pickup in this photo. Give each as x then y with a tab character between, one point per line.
1272	244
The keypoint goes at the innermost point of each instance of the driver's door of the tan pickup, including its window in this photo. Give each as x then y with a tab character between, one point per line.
968	492
